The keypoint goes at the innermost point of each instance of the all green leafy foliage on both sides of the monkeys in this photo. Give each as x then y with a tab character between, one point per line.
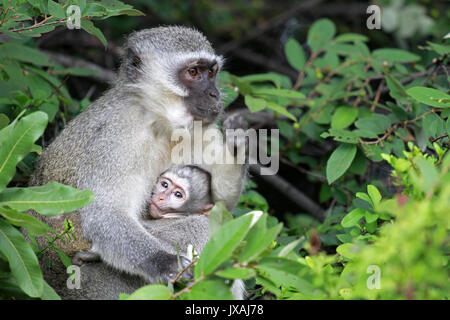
364	109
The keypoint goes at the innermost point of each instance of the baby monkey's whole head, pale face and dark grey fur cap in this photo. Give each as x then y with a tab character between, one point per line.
181	191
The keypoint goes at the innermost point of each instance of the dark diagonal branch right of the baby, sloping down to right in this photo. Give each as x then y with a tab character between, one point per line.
291	192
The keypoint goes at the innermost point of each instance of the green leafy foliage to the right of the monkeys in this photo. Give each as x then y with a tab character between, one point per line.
404	236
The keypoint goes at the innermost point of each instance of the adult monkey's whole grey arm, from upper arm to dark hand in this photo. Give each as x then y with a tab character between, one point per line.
112	224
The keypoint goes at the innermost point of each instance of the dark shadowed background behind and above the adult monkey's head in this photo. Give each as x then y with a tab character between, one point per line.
251	36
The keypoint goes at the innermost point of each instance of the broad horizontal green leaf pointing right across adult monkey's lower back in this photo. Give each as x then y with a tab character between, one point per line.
51	199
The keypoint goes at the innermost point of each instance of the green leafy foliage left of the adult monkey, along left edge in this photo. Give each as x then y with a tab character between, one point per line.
31	95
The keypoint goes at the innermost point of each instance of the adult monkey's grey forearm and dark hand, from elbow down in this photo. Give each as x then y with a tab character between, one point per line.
125	244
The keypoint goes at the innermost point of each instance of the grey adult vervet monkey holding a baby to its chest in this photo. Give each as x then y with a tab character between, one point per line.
120	144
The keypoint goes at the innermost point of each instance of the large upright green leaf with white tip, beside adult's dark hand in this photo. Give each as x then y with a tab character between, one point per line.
222	244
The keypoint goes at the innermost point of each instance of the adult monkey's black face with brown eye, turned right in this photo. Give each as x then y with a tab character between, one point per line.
199	77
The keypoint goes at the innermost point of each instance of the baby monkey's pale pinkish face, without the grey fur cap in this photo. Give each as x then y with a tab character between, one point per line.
168	196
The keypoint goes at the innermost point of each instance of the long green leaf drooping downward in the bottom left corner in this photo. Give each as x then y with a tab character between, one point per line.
23	262
